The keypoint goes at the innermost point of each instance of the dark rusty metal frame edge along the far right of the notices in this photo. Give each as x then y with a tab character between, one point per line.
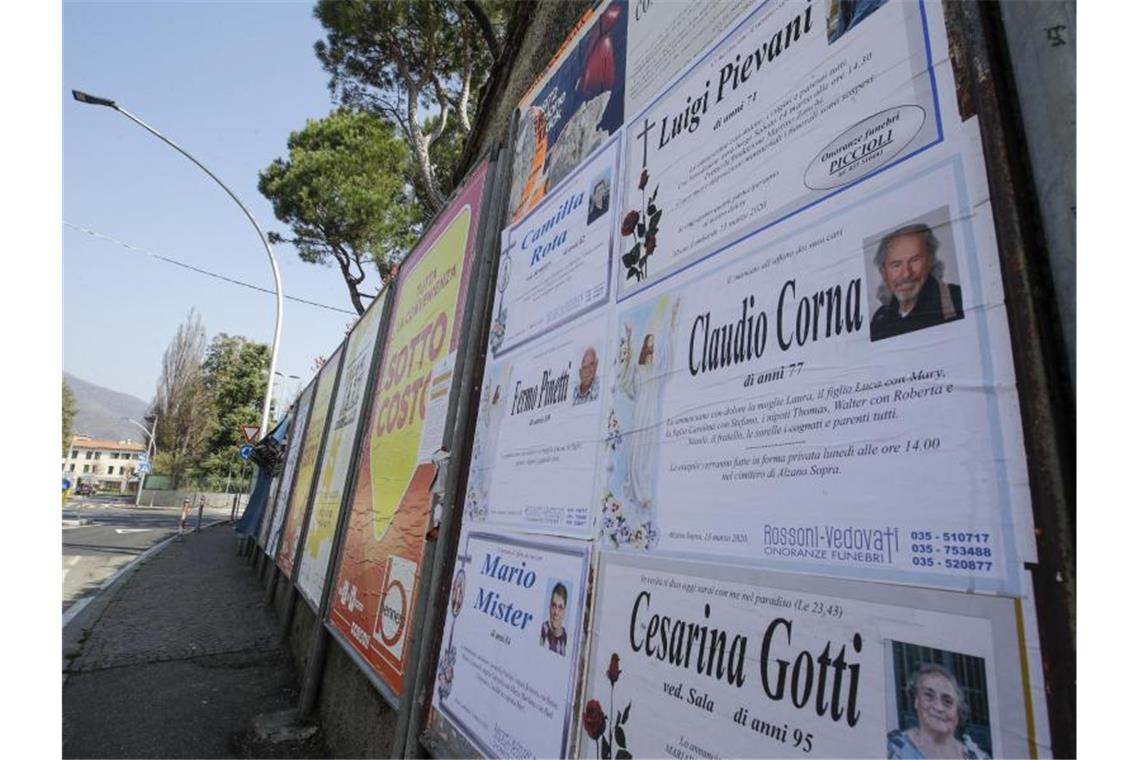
1046	393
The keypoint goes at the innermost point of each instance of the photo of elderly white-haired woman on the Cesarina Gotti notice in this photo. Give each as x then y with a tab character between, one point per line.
942	706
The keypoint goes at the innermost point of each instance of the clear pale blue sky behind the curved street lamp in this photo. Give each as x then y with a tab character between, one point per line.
229	81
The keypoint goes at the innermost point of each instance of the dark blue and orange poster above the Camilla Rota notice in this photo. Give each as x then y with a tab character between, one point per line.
575	107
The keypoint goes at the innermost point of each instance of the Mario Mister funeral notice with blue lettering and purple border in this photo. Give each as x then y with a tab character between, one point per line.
512	644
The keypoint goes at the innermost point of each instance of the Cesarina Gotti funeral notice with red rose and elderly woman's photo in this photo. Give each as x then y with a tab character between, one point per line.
696	660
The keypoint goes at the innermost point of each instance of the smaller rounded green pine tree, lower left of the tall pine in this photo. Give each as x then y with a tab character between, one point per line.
345	195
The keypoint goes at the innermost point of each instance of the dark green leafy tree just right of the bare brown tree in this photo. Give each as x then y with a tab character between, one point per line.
235	372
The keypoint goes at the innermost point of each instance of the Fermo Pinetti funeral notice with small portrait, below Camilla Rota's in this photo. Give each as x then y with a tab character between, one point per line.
536	445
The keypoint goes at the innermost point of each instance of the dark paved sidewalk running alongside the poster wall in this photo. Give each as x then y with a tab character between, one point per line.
181	659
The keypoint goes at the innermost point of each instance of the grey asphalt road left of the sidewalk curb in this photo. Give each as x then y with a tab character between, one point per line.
115	536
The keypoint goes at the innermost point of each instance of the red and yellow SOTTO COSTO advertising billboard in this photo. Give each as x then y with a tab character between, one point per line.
380	562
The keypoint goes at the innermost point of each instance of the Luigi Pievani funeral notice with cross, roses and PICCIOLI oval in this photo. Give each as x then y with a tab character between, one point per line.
784	112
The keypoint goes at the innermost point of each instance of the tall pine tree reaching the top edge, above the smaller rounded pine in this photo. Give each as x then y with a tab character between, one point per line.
417	64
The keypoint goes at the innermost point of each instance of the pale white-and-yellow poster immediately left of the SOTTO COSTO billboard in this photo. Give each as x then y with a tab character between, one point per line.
335	467
